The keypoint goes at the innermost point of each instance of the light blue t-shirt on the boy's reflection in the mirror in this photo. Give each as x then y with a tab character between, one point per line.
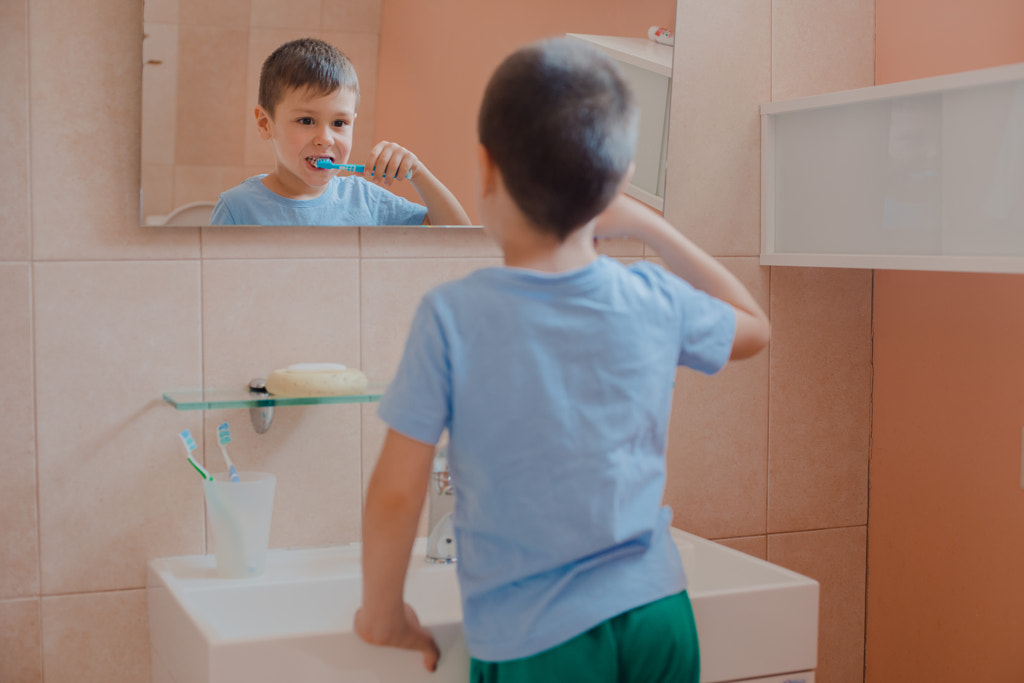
348	201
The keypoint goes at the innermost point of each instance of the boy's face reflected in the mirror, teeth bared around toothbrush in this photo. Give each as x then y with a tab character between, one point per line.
304	130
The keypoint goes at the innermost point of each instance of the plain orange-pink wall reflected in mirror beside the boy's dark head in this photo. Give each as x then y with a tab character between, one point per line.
431	91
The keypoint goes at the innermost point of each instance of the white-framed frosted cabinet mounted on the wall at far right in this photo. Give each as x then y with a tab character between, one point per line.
925	175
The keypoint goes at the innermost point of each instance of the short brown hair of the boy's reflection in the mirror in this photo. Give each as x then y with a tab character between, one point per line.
307	63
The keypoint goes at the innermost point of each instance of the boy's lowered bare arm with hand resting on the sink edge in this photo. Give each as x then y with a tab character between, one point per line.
395	500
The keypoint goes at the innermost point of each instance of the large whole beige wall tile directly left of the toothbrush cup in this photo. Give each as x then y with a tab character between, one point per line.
114	488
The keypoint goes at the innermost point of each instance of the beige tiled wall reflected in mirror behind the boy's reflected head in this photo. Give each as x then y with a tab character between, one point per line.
199	134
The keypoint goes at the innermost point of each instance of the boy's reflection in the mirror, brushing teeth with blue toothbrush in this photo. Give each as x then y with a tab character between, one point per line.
309	95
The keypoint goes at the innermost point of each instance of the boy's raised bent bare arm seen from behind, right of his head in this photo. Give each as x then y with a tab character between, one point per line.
628	219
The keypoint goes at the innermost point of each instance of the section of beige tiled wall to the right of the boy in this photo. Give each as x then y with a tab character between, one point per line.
772	456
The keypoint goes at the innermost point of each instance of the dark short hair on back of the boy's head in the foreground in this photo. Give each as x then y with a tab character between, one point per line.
561	123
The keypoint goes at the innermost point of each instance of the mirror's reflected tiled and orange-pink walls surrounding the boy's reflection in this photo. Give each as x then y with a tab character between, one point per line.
422	69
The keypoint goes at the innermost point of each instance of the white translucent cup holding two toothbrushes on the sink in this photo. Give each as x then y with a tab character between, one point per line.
240	515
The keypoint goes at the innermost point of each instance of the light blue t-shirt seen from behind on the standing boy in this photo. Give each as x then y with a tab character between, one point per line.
557	392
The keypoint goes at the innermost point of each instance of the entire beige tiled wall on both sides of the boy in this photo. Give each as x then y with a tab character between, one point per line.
101	317
